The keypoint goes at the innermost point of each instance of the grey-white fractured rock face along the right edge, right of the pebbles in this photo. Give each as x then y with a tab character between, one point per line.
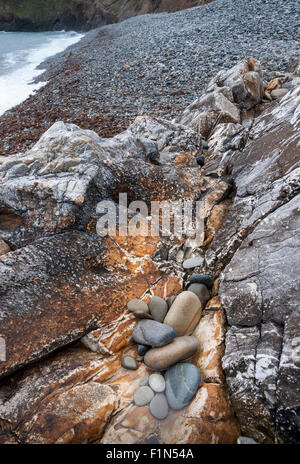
259	287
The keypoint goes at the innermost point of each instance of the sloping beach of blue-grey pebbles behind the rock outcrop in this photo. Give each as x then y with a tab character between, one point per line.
153	64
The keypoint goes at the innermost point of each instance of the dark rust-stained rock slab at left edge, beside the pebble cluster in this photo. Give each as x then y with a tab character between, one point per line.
63	287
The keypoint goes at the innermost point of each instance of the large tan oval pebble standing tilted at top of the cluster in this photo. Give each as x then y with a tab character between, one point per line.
184	313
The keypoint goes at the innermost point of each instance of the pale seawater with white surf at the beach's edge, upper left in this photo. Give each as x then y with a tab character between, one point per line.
20	54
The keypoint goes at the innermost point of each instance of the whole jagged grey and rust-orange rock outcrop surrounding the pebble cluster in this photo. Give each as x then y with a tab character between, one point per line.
60	281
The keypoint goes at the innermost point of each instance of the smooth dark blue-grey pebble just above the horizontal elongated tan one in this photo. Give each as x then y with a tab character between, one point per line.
153	333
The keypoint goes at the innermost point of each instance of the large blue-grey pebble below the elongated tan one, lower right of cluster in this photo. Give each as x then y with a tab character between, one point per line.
182	382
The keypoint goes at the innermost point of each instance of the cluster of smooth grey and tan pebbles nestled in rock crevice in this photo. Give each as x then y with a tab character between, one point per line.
164	340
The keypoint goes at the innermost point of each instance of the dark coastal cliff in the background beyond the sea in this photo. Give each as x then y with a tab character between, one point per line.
80	15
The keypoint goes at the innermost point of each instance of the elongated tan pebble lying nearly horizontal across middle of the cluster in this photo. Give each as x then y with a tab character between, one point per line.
180	349
